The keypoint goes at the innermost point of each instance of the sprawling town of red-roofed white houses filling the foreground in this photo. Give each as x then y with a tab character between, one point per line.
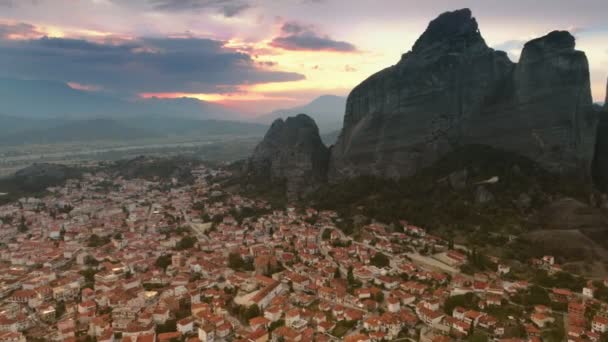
104	259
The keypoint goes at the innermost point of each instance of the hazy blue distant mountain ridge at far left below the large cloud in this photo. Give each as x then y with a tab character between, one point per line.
51	99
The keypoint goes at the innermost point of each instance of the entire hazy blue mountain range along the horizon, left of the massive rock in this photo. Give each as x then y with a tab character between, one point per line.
39	111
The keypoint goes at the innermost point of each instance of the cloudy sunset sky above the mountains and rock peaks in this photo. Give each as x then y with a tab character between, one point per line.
259	55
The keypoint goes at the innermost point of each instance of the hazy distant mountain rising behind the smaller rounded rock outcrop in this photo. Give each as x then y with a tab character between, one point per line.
326	110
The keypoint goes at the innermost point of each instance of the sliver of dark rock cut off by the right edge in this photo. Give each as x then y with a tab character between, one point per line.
600	161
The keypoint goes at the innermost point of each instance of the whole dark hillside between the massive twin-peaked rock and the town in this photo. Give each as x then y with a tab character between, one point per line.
480	196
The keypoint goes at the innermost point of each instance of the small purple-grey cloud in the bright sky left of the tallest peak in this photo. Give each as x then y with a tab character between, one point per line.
299	37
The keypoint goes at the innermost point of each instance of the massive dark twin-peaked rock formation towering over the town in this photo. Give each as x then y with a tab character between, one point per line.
452	89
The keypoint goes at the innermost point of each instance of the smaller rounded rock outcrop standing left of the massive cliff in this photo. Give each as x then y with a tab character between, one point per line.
292	152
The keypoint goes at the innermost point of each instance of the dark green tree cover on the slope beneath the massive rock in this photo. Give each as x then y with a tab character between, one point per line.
427	199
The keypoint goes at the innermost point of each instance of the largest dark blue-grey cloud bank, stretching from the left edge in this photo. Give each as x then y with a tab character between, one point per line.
145	65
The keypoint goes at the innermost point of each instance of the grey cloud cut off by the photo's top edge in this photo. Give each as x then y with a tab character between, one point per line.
229	8
